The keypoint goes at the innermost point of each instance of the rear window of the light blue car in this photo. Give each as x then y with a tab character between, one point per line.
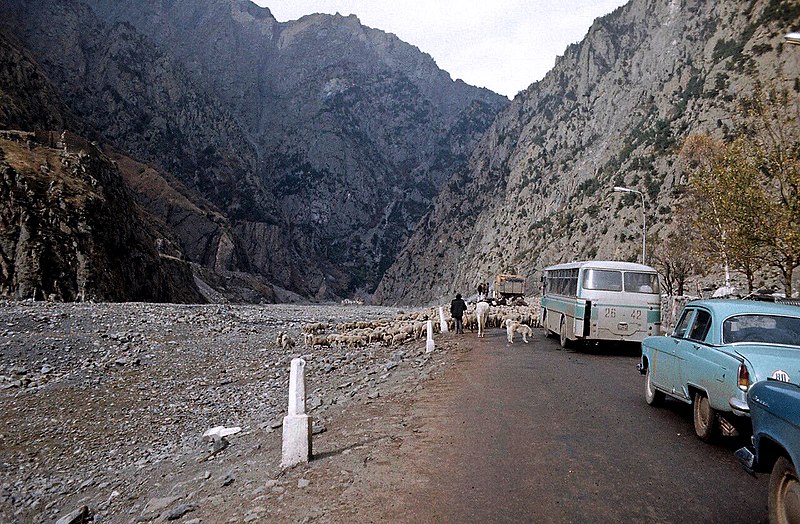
763	329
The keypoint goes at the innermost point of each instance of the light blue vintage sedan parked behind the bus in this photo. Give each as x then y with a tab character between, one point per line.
717	350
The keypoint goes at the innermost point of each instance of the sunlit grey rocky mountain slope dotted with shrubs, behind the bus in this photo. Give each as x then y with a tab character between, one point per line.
612	112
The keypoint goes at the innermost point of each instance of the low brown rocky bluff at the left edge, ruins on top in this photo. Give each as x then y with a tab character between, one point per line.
69	229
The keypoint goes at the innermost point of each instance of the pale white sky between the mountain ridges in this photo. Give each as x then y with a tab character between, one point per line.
504	45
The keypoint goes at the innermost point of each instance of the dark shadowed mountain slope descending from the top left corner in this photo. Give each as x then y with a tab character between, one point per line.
131	95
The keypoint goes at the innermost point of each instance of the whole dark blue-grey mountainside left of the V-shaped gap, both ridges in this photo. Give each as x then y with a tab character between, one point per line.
320	141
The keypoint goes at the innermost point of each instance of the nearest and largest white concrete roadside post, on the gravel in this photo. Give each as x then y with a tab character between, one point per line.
296	425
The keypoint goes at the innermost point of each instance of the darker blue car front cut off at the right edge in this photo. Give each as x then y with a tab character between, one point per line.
775	412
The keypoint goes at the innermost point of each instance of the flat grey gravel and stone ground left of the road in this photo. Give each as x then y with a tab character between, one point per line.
105	405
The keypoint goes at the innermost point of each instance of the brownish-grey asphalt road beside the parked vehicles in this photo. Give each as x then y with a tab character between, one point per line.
534	433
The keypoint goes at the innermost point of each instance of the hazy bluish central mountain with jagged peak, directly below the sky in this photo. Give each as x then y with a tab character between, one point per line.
357	130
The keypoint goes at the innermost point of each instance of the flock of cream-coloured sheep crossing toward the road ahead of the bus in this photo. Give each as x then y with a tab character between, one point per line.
406	327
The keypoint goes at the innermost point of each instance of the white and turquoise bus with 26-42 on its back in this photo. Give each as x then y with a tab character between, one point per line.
600	300
